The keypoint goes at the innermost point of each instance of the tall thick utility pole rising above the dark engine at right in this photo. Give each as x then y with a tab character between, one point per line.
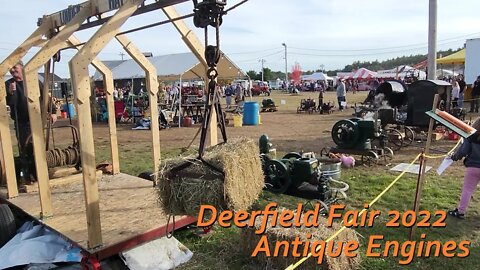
432	40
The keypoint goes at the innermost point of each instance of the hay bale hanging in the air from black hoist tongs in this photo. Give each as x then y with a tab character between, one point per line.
199	184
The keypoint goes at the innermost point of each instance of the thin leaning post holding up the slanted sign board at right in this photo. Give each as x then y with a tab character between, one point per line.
423	165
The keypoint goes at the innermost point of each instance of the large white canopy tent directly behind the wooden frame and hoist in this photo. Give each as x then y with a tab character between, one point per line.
171	67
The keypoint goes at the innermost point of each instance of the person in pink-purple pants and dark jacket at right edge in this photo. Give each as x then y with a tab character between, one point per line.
470	150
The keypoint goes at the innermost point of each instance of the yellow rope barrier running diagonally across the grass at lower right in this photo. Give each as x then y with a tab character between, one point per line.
297	264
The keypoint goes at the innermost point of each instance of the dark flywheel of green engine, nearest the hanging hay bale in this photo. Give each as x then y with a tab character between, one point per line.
277	178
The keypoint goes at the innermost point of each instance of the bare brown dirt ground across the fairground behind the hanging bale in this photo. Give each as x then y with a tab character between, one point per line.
287	129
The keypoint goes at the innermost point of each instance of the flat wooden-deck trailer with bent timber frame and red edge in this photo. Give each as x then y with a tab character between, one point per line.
103	215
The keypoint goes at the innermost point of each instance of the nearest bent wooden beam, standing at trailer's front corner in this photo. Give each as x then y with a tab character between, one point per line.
81	86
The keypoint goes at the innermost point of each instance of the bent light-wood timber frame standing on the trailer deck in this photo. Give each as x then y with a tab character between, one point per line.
55	33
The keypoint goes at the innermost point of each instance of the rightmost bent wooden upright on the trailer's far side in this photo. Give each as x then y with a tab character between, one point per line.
152	89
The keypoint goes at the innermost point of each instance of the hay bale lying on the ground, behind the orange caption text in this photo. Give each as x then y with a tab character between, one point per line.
322	232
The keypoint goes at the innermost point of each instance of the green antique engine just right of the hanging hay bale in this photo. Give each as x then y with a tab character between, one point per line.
299	175
